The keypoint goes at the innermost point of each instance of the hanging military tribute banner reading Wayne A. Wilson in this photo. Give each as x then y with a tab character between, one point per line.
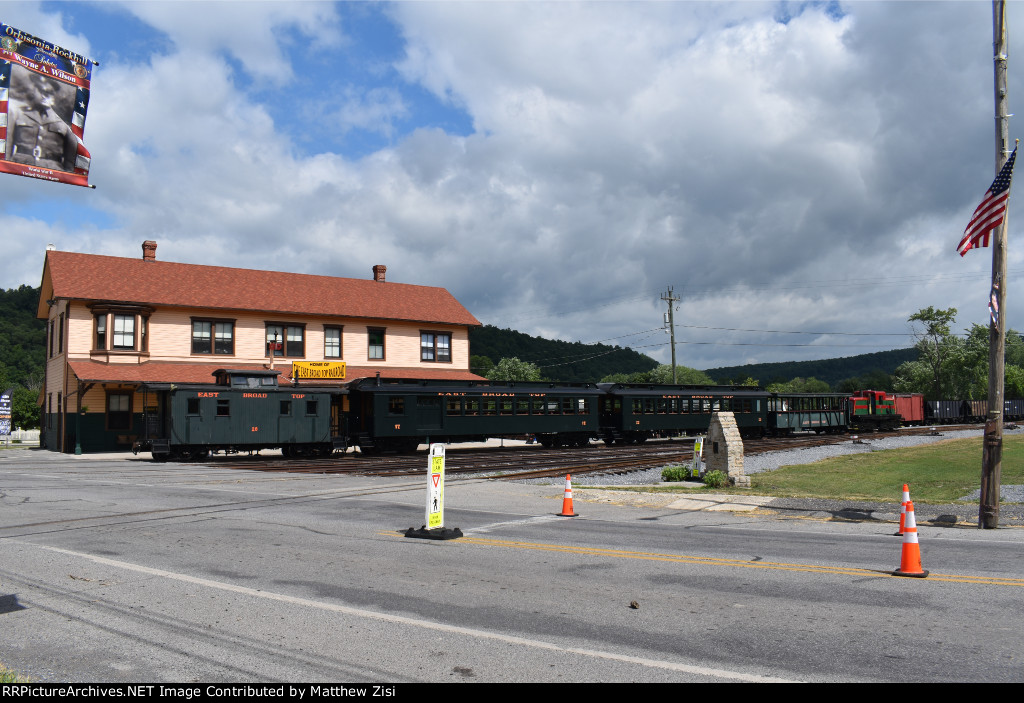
45	96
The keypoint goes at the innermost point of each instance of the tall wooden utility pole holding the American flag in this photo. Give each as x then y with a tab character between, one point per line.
992	455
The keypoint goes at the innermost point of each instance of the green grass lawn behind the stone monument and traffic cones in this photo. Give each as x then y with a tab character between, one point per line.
944	472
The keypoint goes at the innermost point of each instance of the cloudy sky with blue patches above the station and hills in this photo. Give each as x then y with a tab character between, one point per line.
786	167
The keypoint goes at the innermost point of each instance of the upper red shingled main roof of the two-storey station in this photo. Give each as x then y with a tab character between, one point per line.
95	278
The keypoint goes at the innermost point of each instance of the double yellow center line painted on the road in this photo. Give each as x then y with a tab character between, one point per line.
721	561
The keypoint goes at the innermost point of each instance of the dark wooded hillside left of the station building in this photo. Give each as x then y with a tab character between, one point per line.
23	339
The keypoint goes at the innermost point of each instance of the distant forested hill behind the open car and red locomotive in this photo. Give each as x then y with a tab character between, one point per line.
830	371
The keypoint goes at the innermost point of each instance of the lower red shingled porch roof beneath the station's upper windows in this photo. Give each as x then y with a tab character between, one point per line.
169	372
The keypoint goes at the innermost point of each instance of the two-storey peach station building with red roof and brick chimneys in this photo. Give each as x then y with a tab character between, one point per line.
115	325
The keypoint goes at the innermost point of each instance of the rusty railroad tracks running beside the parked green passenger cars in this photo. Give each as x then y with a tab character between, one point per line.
534	462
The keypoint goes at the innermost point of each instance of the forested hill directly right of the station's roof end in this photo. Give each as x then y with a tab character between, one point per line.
571	362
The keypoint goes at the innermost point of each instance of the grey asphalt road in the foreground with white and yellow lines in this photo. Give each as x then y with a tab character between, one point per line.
123	570
